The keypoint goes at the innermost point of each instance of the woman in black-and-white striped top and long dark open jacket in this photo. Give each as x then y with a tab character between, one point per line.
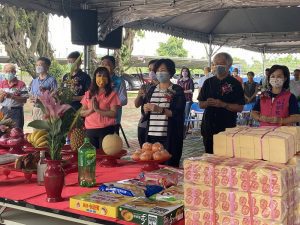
164	106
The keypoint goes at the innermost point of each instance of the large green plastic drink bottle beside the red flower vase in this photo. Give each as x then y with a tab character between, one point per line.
87	164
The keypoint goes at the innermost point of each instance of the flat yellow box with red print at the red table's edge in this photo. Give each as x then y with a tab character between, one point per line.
97	202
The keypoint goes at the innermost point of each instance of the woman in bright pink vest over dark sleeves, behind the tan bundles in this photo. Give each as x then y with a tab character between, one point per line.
278	106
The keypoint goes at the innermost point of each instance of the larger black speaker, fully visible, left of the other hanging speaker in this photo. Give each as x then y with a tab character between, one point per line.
84	27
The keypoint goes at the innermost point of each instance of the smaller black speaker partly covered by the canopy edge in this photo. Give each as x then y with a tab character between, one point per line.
113	40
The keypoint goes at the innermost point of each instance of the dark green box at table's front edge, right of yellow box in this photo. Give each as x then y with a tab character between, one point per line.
147	212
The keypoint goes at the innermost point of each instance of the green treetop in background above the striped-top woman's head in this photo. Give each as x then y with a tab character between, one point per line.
172	48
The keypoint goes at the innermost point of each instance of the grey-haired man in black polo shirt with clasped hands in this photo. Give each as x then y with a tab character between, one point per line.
221	96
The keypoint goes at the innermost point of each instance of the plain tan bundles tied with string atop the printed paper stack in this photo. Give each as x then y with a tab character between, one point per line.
257	143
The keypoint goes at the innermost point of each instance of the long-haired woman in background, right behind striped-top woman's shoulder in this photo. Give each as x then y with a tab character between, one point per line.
186	82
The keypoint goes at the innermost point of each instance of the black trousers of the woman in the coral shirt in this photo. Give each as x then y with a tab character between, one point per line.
96	135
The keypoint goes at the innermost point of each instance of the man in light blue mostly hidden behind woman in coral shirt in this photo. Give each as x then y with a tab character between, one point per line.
118	84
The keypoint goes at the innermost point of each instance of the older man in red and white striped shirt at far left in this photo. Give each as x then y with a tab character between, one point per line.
13	95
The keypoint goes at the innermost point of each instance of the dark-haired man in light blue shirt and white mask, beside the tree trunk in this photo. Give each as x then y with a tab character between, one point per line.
44	81
